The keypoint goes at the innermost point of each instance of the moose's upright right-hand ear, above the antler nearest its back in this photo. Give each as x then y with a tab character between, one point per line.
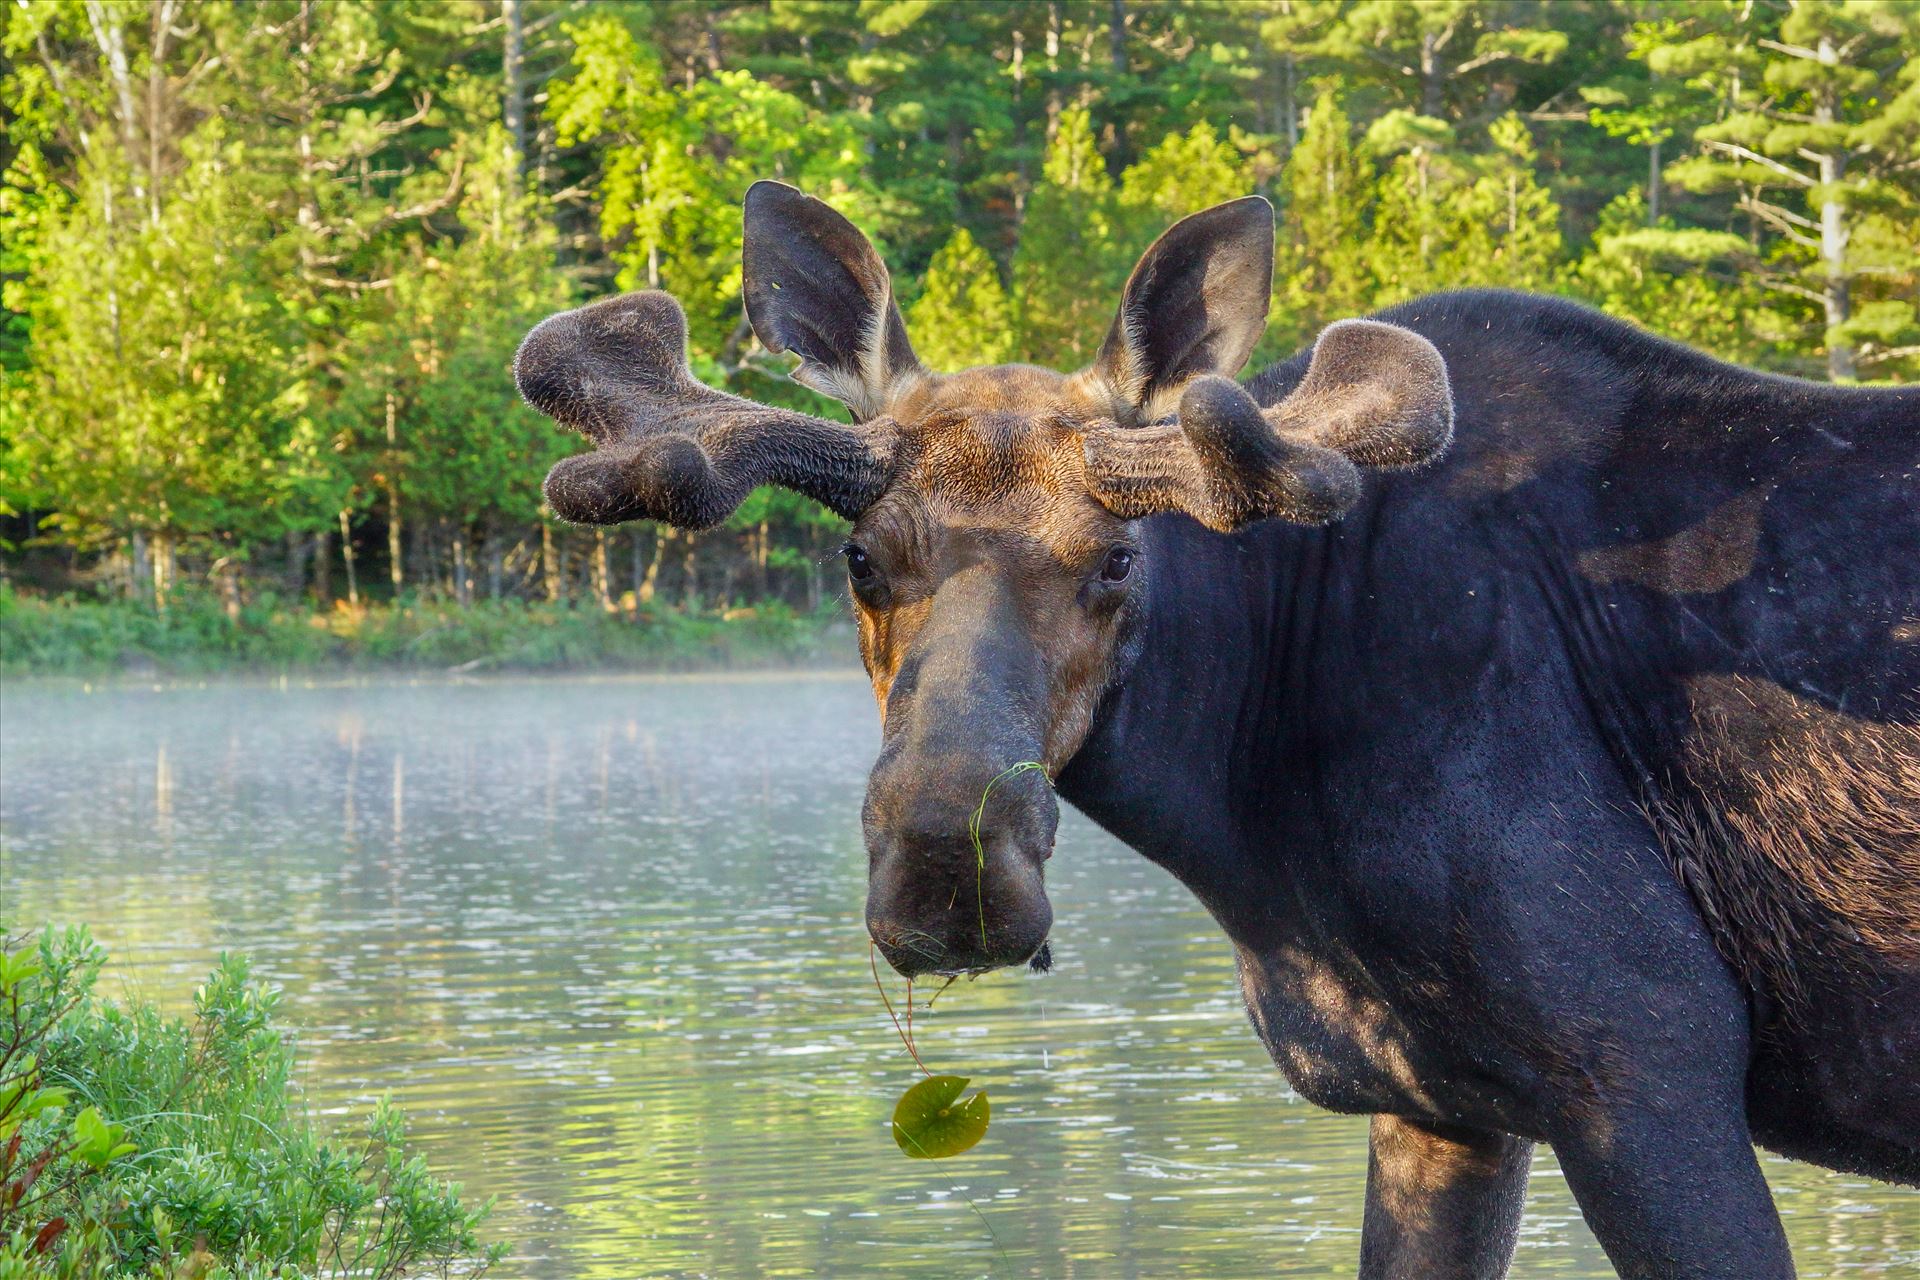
1195	304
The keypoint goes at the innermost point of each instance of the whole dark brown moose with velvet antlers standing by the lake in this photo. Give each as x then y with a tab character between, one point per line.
1533	701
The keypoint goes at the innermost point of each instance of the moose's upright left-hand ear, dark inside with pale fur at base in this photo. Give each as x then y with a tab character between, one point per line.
815	287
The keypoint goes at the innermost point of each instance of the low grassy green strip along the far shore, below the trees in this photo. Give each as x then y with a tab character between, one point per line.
201	636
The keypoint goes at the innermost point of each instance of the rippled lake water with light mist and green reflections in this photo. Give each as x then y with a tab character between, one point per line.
602	941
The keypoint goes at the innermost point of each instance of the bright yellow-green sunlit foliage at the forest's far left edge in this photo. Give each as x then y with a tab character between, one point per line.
155	400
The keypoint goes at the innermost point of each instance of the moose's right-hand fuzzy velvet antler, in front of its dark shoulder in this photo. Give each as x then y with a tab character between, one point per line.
1374	396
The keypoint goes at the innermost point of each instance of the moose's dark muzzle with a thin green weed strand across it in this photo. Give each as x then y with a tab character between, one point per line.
936	901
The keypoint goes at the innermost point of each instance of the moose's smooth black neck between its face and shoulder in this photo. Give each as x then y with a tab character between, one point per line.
1193	751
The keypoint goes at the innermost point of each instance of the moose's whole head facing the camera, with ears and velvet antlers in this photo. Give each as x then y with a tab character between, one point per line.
996	559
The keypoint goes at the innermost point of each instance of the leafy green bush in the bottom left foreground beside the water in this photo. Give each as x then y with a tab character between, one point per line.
187	1150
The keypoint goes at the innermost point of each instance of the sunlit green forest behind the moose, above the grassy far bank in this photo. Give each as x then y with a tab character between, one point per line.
266	264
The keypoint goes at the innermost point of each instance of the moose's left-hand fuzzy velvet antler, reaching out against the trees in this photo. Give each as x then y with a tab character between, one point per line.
667	446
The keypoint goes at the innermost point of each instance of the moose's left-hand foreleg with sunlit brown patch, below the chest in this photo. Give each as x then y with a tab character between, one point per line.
1443	1202
